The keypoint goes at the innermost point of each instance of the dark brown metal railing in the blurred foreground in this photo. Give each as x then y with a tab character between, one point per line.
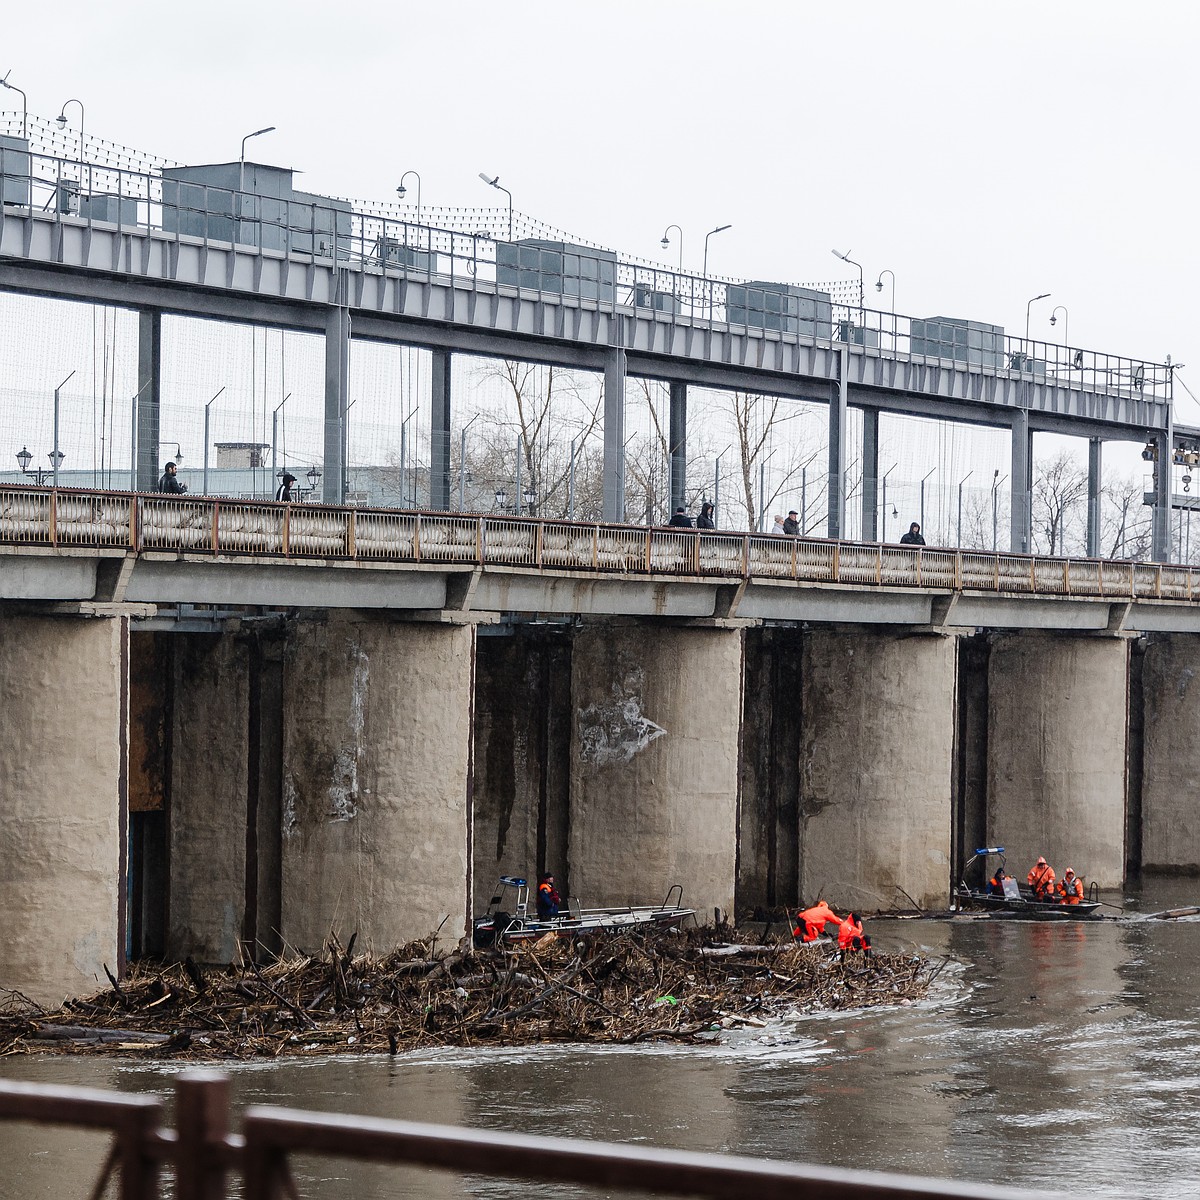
203	1154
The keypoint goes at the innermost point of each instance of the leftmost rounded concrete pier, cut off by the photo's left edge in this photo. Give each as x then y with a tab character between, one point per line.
64	694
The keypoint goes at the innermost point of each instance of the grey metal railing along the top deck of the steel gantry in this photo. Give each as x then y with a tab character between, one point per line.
381	242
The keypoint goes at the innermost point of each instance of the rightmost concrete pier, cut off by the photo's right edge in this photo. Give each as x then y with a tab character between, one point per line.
1171	818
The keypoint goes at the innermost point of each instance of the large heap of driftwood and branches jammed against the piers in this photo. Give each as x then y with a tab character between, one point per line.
659	986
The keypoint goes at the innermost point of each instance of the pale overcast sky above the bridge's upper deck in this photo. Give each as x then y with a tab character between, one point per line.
982	153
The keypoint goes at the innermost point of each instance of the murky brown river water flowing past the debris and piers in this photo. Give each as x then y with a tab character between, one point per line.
1049	1055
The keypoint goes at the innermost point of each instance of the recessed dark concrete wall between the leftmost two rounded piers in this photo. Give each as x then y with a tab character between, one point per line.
207	821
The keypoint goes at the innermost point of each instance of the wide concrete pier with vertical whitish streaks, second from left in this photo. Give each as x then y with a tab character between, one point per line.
377	737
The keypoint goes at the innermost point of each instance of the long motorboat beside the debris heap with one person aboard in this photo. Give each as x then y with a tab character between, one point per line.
509	919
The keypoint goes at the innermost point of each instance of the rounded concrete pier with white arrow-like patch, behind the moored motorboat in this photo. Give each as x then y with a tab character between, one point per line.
655	771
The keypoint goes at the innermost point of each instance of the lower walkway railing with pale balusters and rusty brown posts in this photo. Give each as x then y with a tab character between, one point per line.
230	529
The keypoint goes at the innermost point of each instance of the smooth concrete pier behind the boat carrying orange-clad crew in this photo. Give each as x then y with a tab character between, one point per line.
1057	753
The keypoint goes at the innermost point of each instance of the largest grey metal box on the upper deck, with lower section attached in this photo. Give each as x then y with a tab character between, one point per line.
254	206
